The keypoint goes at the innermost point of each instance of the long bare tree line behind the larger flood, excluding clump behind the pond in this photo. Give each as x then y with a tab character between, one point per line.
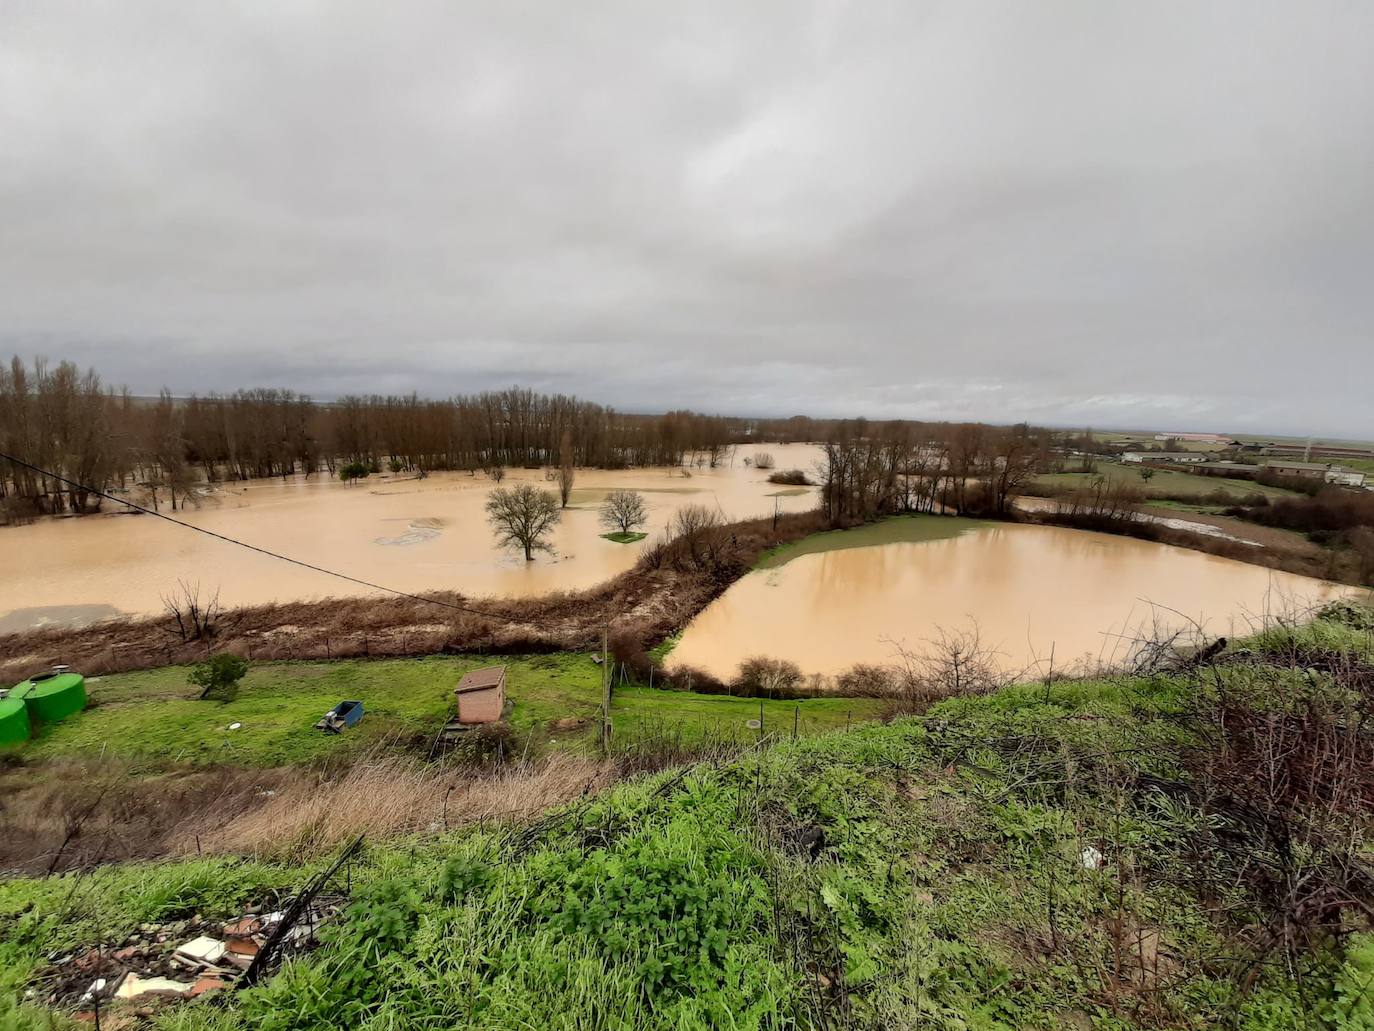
68	421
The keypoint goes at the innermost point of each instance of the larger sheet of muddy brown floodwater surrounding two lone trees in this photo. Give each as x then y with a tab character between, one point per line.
413	535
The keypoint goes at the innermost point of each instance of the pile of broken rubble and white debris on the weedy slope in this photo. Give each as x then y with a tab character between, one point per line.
181	960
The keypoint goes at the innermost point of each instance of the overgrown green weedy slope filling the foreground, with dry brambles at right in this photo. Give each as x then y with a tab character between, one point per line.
1184	849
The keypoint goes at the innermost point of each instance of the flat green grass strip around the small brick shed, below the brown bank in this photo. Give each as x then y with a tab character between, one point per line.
155	716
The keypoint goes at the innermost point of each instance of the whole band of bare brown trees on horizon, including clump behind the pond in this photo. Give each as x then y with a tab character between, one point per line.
90	435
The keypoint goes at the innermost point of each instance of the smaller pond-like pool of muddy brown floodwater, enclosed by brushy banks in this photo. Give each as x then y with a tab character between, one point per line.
1027	588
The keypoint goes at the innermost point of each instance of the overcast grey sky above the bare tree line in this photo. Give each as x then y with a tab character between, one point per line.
1148	215
